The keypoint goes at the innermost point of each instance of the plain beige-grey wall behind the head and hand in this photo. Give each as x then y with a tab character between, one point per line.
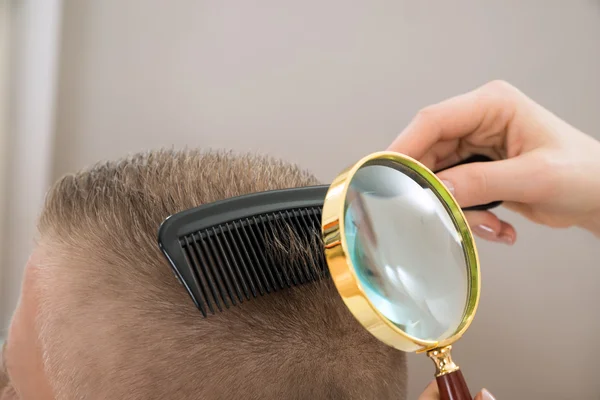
323	82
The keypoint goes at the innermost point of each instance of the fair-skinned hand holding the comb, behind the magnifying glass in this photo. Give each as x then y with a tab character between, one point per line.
546	170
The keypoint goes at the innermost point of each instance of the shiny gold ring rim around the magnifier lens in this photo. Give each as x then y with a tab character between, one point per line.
344	275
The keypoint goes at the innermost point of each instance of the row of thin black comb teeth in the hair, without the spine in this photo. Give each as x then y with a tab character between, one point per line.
247	258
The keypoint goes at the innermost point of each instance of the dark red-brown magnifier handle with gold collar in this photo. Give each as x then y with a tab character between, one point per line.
450	380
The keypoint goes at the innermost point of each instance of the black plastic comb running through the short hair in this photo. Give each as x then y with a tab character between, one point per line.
218	251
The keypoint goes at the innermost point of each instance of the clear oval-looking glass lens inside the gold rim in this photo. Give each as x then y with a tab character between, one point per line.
406	251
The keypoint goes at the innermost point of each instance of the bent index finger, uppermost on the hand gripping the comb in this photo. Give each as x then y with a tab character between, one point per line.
489	107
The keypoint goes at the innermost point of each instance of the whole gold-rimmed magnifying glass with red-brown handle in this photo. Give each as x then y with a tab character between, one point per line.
403	259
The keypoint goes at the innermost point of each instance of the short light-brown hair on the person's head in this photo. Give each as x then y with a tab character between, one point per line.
115	323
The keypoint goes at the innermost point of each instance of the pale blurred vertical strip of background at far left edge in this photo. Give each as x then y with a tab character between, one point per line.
26	162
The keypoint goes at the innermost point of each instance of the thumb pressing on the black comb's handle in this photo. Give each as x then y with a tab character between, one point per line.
485	182
